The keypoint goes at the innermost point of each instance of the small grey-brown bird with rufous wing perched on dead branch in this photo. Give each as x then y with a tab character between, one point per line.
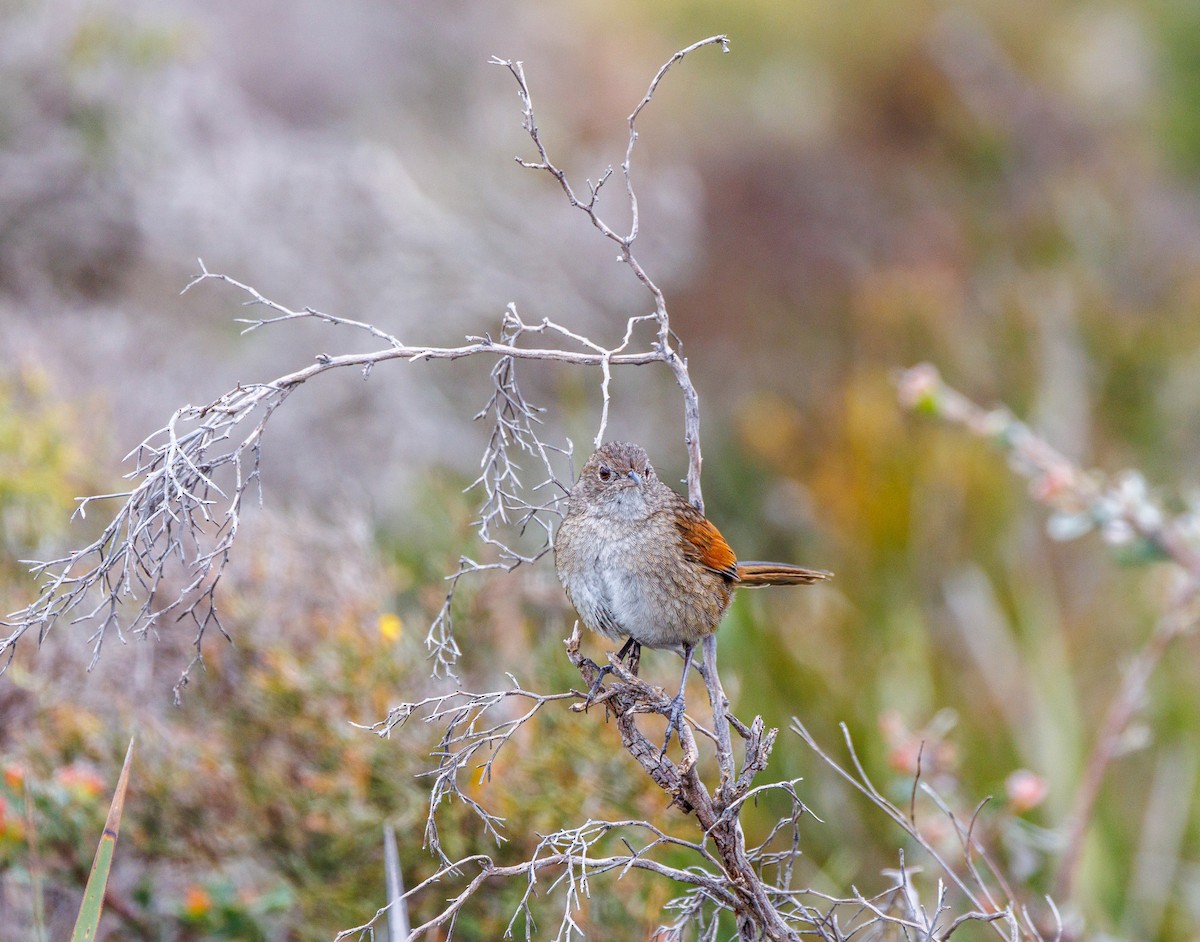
639	562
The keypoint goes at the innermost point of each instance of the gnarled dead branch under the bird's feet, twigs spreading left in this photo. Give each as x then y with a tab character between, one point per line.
725	874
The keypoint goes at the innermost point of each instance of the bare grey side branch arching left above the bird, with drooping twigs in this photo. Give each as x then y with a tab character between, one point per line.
163	555
